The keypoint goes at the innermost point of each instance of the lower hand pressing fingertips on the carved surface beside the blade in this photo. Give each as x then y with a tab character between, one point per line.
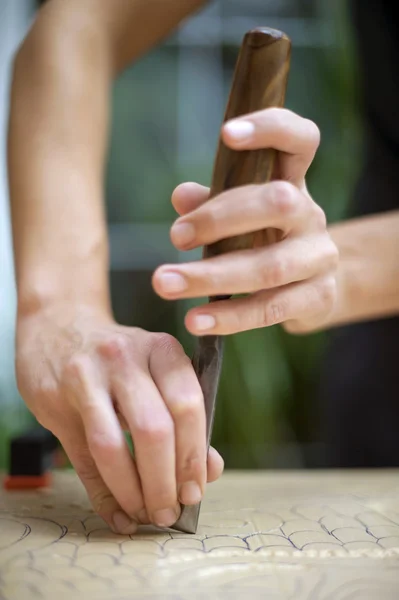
84	377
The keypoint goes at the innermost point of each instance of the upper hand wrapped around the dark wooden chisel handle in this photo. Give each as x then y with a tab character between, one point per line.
291	281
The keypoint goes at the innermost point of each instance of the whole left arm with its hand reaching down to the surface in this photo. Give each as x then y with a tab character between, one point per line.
77	370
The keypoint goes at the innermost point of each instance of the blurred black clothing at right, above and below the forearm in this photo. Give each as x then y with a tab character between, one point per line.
359	391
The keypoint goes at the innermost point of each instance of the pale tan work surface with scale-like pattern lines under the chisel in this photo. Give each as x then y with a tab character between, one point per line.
313	536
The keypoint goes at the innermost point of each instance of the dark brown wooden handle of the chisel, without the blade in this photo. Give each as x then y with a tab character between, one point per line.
260	81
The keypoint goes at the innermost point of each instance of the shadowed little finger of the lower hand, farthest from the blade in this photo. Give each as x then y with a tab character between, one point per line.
73	440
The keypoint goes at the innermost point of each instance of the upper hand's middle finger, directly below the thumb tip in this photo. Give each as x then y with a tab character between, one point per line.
277	205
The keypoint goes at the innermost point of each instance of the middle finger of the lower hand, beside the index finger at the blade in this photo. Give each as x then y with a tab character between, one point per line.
152	431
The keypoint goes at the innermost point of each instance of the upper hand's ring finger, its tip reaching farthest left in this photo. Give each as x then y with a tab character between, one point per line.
291	260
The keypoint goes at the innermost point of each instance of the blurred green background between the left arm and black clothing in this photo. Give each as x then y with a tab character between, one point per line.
167	111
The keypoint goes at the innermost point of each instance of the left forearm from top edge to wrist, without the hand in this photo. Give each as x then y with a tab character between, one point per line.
57	140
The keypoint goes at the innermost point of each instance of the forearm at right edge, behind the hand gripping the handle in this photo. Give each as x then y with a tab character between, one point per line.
368	273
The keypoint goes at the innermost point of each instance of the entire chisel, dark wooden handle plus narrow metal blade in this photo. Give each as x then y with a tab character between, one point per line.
259	82
